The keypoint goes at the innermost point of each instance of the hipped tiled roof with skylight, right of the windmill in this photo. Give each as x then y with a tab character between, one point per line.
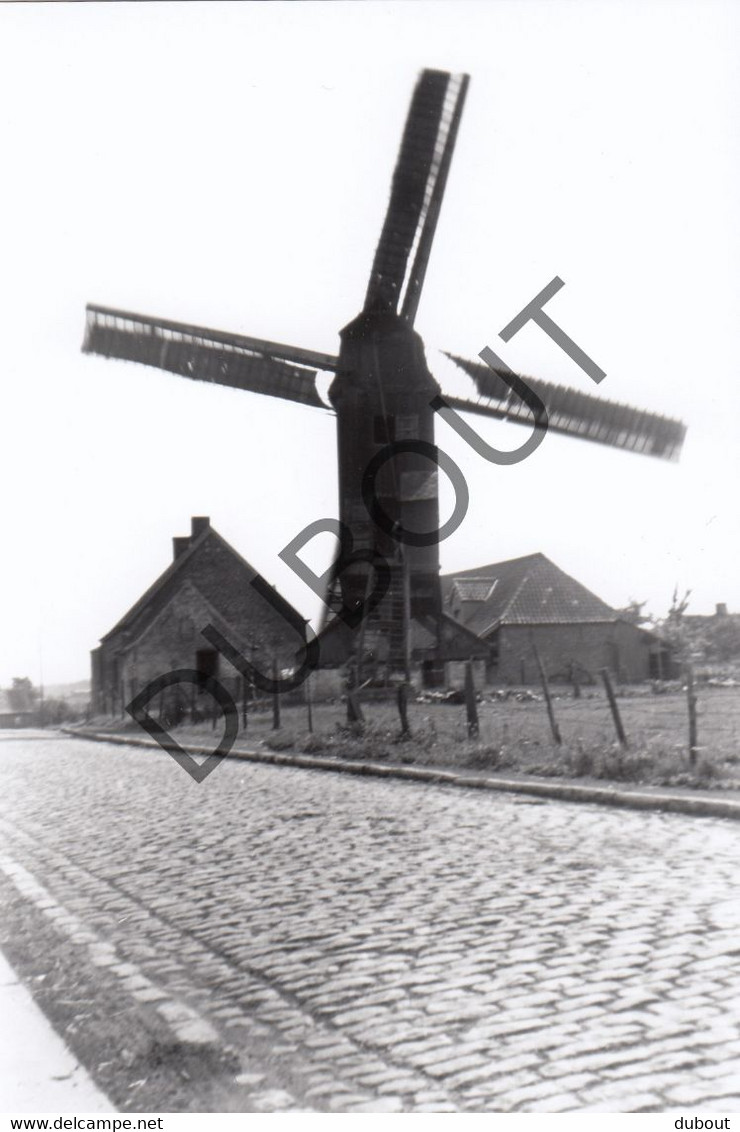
528	591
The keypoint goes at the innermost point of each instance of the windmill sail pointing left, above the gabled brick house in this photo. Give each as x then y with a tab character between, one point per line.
208	356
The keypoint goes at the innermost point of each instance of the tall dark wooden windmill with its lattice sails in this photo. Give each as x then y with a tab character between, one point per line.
383	389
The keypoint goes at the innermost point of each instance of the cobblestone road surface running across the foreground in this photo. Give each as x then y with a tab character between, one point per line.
389	947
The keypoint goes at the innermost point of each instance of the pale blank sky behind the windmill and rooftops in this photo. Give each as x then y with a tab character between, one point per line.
230	165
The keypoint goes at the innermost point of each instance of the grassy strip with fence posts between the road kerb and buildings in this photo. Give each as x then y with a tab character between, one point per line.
515	736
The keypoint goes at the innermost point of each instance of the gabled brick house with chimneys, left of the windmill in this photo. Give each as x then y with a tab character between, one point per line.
208	582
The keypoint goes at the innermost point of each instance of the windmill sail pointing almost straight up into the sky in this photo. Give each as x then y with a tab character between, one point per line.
417	192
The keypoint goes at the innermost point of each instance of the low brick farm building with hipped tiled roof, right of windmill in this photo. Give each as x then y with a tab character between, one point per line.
511	604
